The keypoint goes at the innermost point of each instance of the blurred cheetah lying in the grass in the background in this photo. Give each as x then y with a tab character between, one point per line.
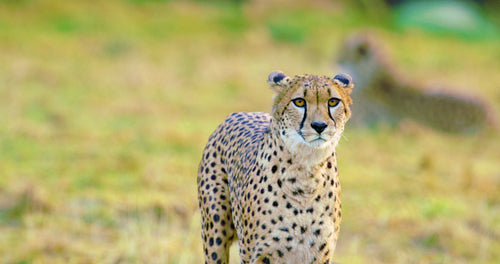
384	96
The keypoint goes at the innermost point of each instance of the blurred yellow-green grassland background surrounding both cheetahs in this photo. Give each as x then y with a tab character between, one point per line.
105	108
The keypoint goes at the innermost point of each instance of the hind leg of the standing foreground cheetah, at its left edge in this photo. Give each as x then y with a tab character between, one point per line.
217	229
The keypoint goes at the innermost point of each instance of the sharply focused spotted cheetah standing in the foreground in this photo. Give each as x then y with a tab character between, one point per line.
270	181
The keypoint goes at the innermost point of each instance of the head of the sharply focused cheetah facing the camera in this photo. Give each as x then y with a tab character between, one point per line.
311	110
